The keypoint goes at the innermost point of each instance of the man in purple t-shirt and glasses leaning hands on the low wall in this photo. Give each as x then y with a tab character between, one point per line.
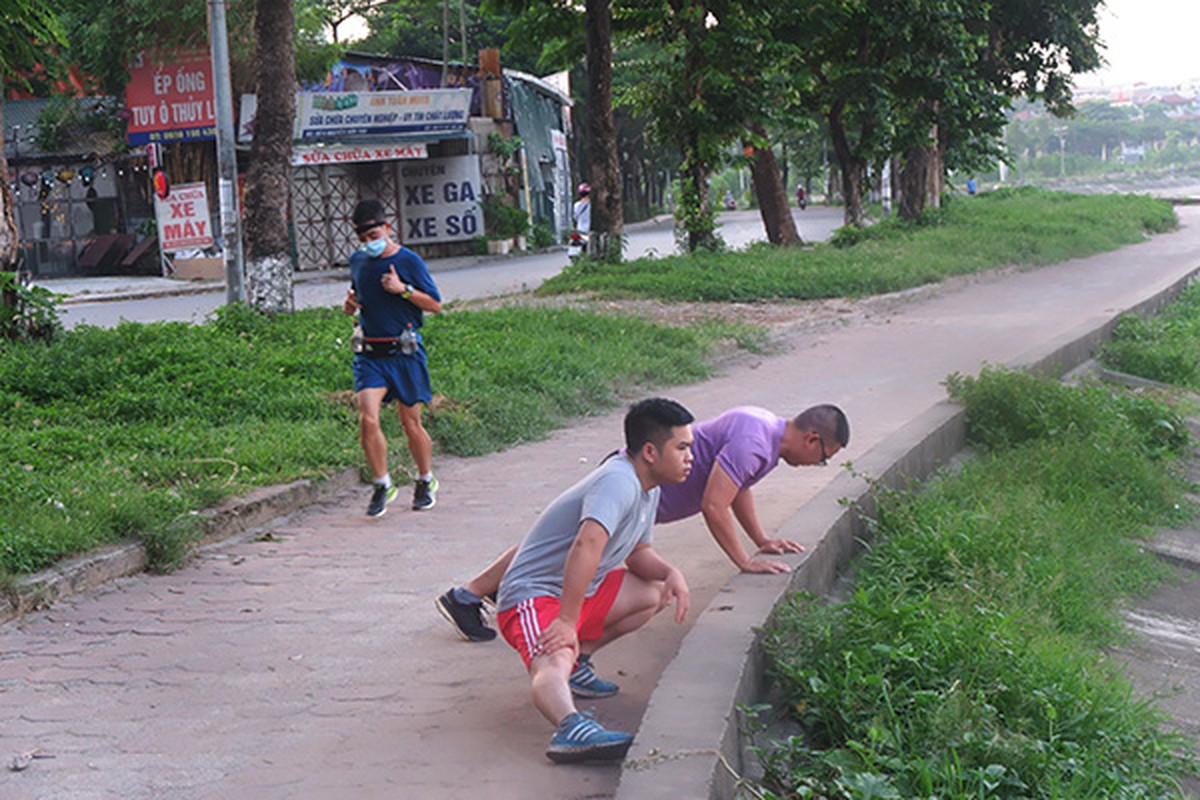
733	453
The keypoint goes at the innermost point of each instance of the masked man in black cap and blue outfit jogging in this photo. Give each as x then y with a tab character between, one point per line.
391	291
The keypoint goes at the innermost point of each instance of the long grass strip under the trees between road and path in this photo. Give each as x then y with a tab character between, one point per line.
1022	227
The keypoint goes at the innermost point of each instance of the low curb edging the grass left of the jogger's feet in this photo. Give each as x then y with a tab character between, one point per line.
226	521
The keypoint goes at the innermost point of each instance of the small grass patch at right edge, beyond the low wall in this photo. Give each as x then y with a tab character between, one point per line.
1165	347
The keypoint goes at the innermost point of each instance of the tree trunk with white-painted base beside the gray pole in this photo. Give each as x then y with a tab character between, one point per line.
269	280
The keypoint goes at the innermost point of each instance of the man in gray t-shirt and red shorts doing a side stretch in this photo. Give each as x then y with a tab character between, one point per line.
587	574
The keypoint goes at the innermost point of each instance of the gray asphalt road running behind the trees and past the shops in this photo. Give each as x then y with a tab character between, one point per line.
459	279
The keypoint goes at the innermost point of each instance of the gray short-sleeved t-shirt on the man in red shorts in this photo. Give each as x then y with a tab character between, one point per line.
613	496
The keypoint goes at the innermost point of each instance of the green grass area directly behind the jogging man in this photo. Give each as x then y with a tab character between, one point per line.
111	434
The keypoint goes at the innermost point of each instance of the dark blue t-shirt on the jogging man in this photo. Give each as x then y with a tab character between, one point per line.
386	315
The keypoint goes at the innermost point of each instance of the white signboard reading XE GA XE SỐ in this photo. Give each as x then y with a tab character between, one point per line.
441	201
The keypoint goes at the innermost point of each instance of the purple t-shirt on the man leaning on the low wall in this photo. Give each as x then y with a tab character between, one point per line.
743	441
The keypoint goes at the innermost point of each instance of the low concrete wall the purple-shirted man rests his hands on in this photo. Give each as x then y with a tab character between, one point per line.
691	743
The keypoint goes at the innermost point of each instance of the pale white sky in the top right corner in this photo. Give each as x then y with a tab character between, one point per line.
1149	41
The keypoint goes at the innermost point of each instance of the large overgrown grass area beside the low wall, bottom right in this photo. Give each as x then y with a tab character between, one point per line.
969	660
